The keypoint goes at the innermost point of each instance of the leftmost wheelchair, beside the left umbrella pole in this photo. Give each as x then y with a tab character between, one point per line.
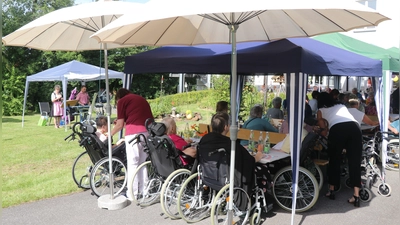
91	168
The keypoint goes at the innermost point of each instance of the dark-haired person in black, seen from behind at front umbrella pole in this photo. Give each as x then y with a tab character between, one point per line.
246	166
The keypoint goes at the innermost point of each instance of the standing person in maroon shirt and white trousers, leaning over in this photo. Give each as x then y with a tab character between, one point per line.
132	111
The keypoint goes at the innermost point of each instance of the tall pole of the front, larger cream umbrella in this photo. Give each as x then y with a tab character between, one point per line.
233	128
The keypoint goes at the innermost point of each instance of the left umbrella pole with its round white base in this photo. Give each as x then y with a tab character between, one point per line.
110	201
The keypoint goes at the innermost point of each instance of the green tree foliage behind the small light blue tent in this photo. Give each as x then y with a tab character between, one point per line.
20	62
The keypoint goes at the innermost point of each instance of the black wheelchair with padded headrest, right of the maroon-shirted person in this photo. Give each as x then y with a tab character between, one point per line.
160	173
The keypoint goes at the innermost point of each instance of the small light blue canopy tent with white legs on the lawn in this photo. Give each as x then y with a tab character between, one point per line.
73	70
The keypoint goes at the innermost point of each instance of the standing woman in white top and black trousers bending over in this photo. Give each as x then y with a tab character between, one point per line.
344	133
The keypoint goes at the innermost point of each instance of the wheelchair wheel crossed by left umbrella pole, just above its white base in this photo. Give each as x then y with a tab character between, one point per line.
100	176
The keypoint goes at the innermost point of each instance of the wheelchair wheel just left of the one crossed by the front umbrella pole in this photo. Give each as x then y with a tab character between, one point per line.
194	200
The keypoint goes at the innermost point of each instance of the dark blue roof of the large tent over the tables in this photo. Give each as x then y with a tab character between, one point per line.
287	55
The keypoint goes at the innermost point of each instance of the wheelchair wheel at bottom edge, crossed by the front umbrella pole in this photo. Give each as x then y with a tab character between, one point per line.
219	209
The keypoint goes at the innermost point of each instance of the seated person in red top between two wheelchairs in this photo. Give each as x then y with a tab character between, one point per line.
180	143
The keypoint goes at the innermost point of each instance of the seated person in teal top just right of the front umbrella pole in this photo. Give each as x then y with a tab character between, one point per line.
256	123
